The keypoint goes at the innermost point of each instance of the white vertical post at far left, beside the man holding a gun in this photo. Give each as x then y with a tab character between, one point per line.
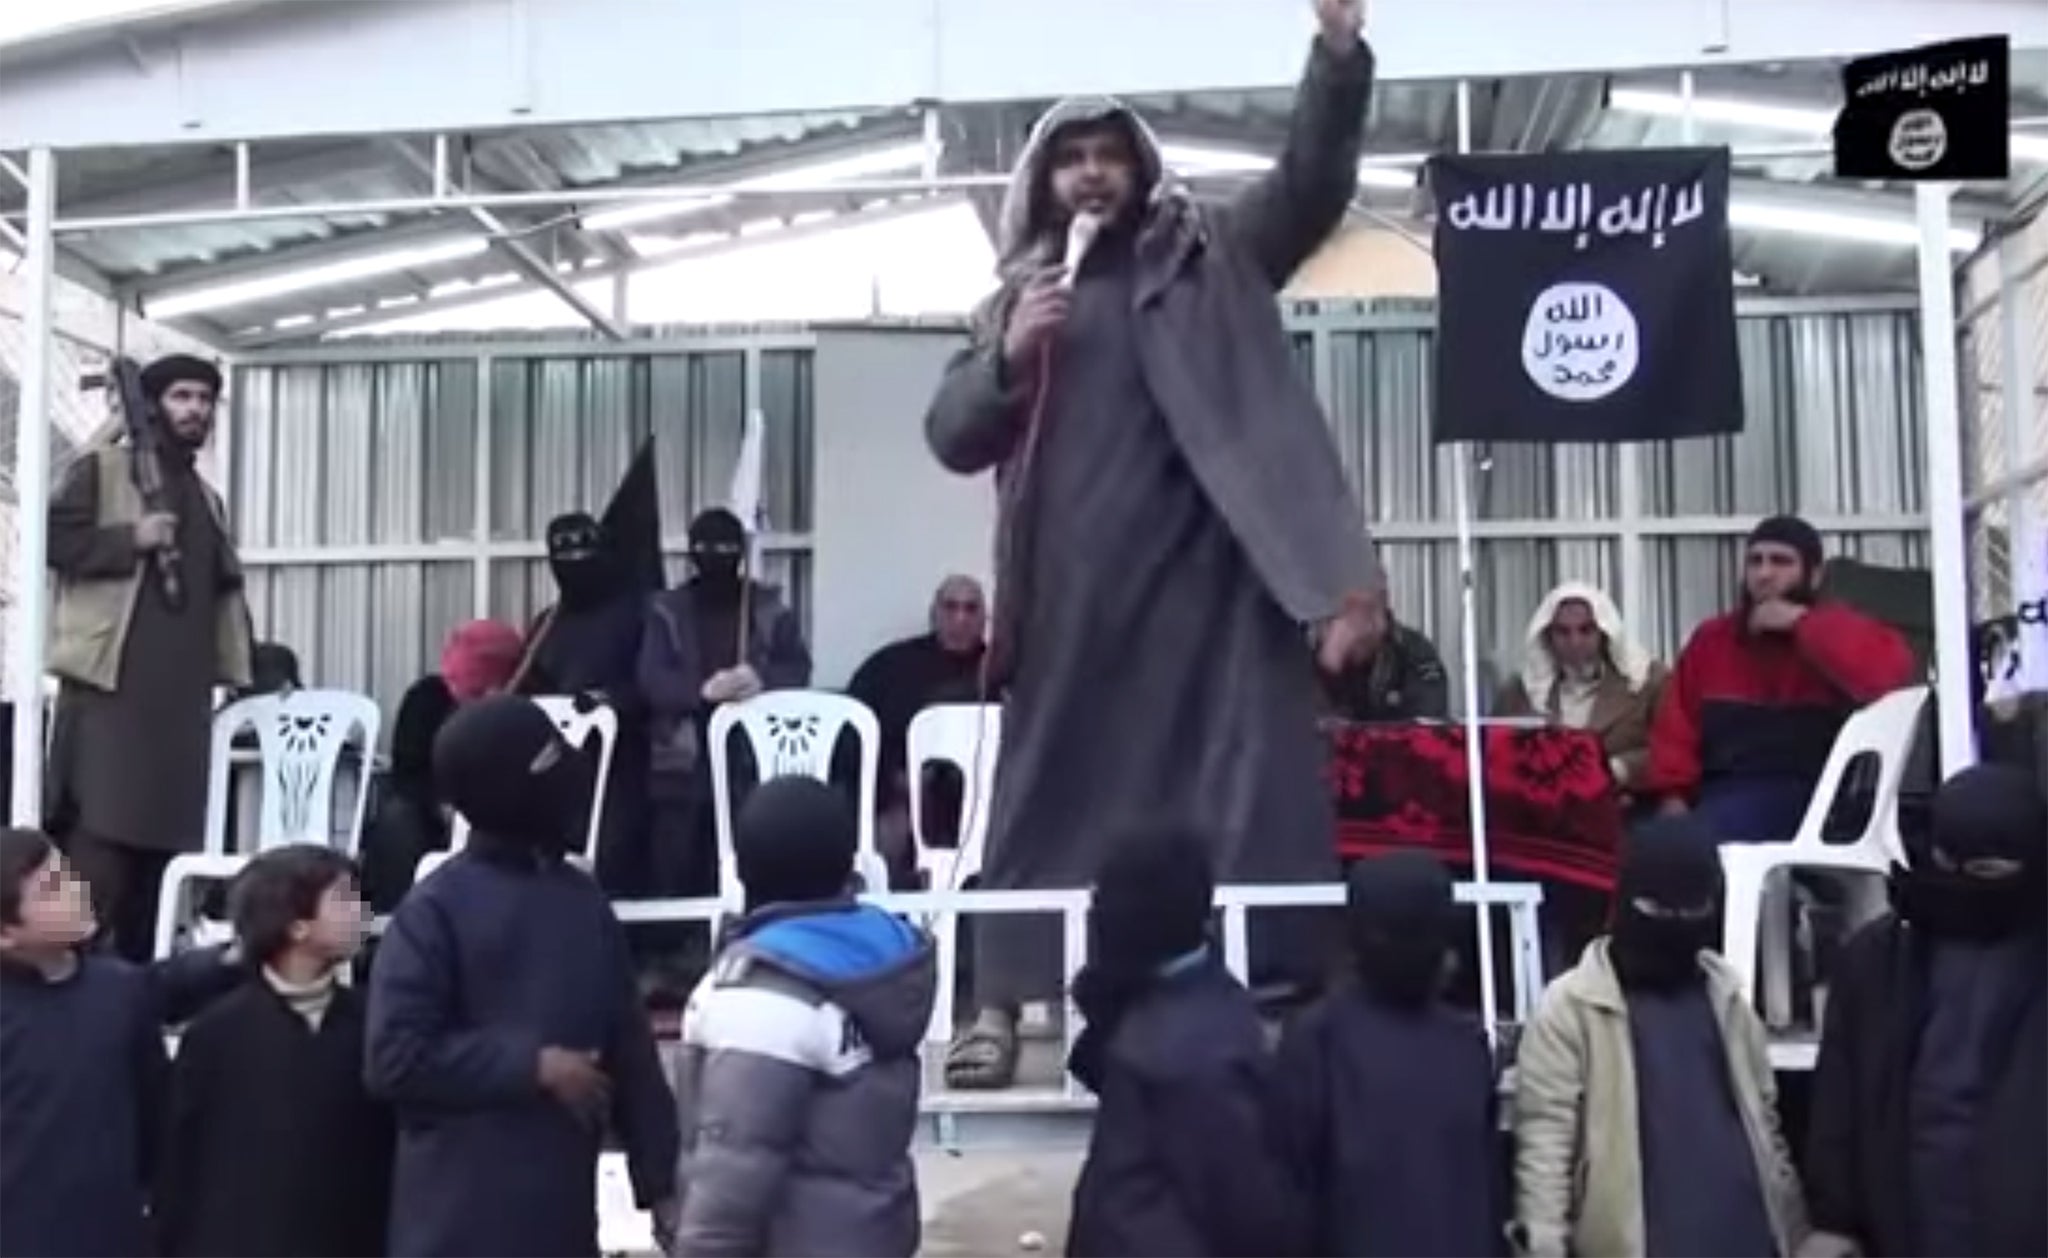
32	493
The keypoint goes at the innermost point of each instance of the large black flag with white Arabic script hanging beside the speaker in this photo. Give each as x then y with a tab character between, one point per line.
1586	298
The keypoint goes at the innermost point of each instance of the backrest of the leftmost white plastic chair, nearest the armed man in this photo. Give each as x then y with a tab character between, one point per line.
300	739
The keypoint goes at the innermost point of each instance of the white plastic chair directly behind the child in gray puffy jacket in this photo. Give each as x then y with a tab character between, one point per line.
794	735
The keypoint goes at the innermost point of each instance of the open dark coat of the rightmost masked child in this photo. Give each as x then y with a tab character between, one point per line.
1859	1142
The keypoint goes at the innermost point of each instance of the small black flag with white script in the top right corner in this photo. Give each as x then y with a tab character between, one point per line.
1928	114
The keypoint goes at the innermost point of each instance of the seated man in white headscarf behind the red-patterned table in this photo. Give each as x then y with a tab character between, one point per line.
1584	671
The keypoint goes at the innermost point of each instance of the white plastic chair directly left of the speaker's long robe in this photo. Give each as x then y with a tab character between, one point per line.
970	739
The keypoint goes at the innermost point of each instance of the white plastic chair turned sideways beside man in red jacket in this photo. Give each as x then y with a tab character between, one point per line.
1760	913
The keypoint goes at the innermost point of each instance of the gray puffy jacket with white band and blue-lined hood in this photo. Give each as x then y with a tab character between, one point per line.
800	1087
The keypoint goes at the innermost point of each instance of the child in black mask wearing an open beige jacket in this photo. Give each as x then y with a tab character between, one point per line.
1646	1105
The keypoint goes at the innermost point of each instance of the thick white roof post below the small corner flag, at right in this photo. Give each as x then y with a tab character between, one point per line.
1949	550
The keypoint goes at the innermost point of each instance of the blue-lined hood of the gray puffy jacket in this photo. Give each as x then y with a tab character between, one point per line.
873	964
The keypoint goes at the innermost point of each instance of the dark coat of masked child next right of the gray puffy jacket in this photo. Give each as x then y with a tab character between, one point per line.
1185	1159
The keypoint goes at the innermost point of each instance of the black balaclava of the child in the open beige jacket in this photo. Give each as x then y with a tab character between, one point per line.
1666	905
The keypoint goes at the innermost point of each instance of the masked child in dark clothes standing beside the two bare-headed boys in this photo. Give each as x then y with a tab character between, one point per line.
505	1025
